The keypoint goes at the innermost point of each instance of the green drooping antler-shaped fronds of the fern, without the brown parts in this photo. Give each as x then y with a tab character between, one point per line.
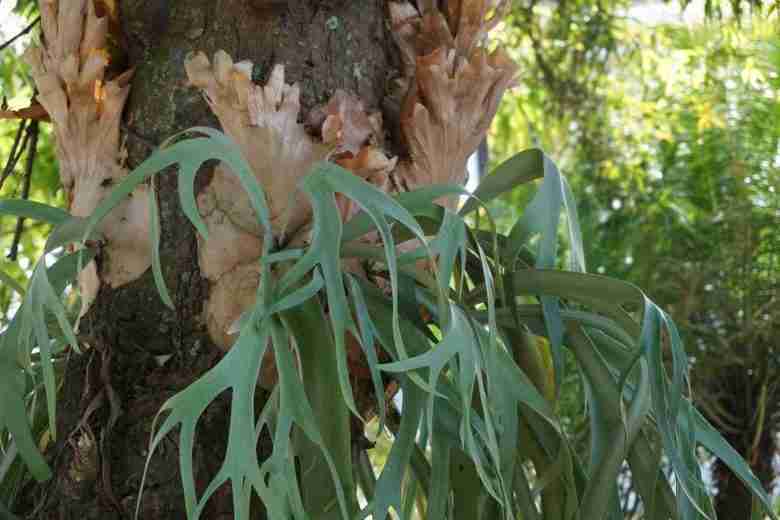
479	398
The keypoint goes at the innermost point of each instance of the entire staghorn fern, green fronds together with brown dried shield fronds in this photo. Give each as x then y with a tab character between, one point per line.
356	272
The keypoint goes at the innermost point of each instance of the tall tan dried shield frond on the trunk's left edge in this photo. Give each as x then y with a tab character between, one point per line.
85	109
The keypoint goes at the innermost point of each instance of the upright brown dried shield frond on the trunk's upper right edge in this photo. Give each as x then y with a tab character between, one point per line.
455	86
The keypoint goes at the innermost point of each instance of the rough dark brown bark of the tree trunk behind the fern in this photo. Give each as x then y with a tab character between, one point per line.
140	353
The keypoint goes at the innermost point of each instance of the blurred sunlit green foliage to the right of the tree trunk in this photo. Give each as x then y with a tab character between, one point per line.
670	133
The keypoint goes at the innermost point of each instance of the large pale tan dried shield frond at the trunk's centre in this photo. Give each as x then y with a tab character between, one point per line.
262	120
